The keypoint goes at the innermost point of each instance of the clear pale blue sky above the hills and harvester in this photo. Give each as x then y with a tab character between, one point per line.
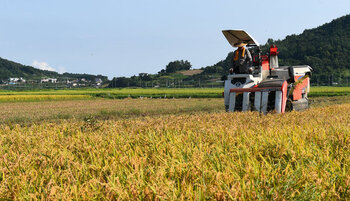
126	37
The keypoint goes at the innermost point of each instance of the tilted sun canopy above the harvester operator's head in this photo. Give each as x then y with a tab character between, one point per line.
234	36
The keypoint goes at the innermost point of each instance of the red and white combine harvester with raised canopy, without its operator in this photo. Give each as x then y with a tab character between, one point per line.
269	87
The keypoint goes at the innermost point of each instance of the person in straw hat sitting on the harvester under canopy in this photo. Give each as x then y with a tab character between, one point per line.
242	59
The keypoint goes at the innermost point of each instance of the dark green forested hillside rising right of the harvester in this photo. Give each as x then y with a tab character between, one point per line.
325	48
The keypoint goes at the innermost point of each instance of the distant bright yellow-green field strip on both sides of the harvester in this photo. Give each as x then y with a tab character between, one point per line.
142	93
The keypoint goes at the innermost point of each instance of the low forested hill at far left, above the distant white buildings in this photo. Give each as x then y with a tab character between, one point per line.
10	69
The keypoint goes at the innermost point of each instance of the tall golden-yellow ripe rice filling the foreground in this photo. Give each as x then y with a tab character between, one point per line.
222	156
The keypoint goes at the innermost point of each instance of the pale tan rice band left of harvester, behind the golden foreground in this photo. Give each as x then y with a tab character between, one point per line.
28	112
